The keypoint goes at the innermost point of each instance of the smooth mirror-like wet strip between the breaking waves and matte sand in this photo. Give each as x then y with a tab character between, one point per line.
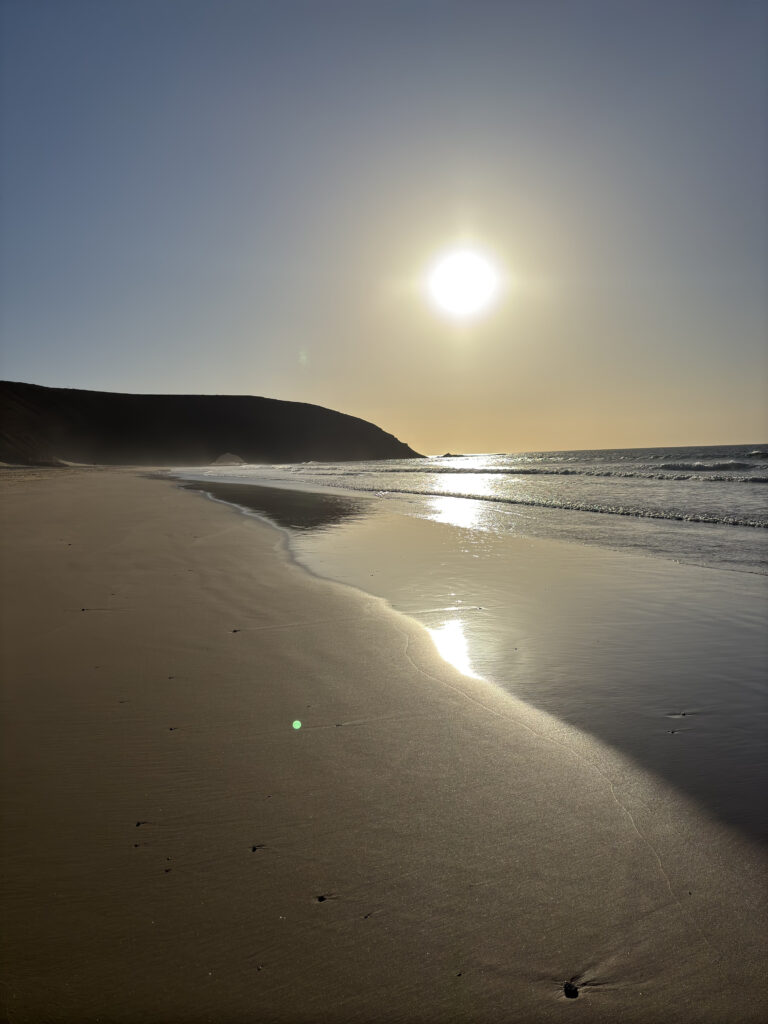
663	662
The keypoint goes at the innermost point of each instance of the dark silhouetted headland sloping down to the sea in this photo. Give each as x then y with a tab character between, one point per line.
47	426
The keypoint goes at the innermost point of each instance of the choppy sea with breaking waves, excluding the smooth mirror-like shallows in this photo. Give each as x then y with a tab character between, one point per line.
701	505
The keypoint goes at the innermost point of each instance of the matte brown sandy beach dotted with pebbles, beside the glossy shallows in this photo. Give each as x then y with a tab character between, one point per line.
424	848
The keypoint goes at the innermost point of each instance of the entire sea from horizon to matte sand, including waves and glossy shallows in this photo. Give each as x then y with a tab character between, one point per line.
623	591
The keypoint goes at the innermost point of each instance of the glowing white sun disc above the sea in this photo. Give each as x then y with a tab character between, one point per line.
463	283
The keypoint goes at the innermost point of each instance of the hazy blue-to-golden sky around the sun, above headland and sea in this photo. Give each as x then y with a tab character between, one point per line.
245	197
